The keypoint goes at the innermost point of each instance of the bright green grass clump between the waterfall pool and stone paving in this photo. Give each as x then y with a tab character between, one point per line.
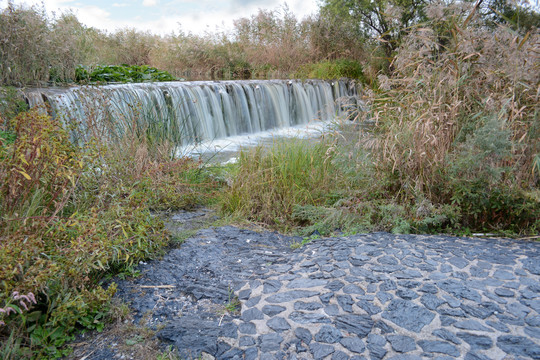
271	182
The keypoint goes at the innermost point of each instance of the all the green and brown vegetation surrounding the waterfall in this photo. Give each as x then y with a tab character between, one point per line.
453	146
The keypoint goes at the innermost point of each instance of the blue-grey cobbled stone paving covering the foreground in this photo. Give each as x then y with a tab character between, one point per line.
369	296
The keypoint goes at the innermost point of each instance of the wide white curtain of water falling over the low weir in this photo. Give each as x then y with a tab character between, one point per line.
193	112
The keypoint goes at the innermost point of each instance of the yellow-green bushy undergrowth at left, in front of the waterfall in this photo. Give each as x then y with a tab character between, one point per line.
68	216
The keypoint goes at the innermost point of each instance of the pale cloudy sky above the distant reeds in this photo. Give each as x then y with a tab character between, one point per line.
164	16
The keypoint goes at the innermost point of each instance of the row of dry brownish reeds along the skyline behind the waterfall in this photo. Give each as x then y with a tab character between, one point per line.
36	49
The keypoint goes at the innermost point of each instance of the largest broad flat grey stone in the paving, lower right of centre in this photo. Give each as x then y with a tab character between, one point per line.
408	315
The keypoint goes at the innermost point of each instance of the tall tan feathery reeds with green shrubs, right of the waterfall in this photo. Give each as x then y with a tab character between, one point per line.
458	120
